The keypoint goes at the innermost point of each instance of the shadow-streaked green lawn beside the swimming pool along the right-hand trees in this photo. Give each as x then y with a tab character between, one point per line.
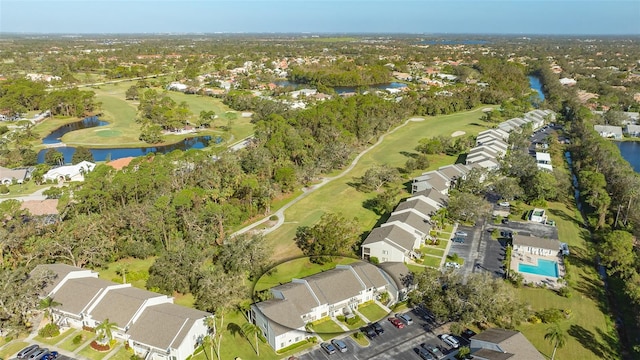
591	332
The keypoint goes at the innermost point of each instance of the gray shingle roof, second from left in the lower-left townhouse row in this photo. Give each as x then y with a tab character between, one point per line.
75	294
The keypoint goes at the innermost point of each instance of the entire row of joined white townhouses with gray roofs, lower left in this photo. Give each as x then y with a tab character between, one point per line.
154	327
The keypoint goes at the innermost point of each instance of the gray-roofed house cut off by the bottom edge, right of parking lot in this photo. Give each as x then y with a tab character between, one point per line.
501	344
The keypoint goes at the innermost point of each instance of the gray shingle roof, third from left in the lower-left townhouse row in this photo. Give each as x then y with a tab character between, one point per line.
120	305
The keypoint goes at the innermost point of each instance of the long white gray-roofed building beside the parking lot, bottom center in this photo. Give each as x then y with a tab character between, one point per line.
334	292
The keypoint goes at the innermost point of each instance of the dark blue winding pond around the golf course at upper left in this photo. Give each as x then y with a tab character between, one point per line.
197	142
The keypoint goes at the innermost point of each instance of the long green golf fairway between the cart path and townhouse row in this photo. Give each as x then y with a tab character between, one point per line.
347	200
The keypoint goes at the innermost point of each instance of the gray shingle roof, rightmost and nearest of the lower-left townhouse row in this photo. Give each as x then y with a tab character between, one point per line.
165	326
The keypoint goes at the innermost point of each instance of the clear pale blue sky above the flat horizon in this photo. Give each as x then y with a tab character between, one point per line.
325	16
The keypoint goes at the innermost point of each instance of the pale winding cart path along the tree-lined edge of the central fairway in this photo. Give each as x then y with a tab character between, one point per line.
311	189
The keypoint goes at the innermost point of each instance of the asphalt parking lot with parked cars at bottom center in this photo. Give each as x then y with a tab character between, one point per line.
392	344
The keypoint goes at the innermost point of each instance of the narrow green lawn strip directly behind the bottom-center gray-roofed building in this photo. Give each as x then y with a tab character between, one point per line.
296	268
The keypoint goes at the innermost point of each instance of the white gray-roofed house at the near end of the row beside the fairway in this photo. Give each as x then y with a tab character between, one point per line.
390	243
